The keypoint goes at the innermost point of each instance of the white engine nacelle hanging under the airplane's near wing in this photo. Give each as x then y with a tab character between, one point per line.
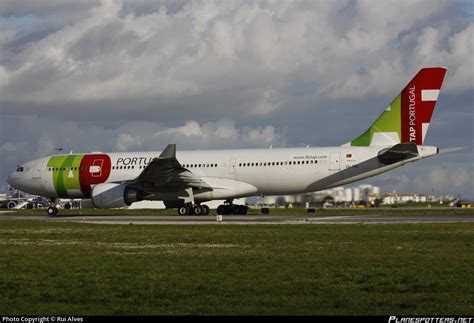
113	195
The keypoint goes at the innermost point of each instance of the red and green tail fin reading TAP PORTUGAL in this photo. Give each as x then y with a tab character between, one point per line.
408	116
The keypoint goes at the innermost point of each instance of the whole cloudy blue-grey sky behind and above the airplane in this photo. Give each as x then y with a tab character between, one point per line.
138	75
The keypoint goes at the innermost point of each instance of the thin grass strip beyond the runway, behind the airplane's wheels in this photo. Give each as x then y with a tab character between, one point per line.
255	211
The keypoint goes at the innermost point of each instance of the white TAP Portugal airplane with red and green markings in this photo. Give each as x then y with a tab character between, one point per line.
187	179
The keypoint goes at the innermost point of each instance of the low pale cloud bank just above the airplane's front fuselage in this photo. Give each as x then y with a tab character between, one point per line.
74	136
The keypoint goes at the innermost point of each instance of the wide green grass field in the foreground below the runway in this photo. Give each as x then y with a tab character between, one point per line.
74	268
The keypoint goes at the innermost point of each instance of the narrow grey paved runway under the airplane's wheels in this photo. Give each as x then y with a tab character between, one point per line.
232	219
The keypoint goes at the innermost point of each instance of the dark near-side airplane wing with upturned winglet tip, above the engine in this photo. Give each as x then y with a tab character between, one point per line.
165	174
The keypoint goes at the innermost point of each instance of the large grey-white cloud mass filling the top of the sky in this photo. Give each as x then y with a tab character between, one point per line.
116	51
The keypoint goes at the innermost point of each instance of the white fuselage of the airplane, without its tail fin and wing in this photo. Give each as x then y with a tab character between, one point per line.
236	173
